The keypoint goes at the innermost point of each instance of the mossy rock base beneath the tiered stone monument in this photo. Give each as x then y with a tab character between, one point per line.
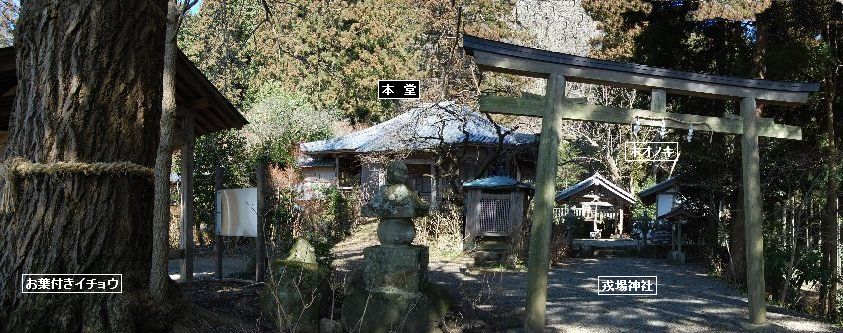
378	312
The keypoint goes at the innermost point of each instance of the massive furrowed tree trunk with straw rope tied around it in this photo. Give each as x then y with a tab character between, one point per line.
89	91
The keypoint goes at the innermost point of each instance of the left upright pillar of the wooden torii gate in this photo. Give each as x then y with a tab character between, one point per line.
538	260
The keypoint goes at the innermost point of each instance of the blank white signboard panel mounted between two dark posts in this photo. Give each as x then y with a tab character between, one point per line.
237	212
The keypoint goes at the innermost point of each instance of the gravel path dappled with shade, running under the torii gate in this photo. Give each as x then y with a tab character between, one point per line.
688	300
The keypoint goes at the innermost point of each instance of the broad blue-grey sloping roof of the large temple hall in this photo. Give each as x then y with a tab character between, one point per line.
423	127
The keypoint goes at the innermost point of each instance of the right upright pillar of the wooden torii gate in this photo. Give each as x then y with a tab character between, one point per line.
752	213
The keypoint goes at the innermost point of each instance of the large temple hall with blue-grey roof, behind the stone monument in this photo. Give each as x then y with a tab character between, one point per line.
419	138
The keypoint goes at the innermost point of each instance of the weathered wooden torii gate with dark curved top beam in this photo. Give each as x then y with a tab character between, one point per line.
558	68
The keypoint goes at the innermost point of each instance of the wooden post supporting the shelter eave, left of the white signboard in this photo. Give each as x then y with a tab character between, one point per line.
187	197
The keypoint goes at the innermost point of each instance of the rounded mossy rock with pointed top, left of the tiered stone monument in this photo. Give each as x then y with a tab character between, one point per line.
294	295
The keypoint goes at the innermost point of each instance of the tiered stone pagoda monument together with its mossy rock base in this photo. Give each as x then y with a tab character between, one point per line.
393	293
